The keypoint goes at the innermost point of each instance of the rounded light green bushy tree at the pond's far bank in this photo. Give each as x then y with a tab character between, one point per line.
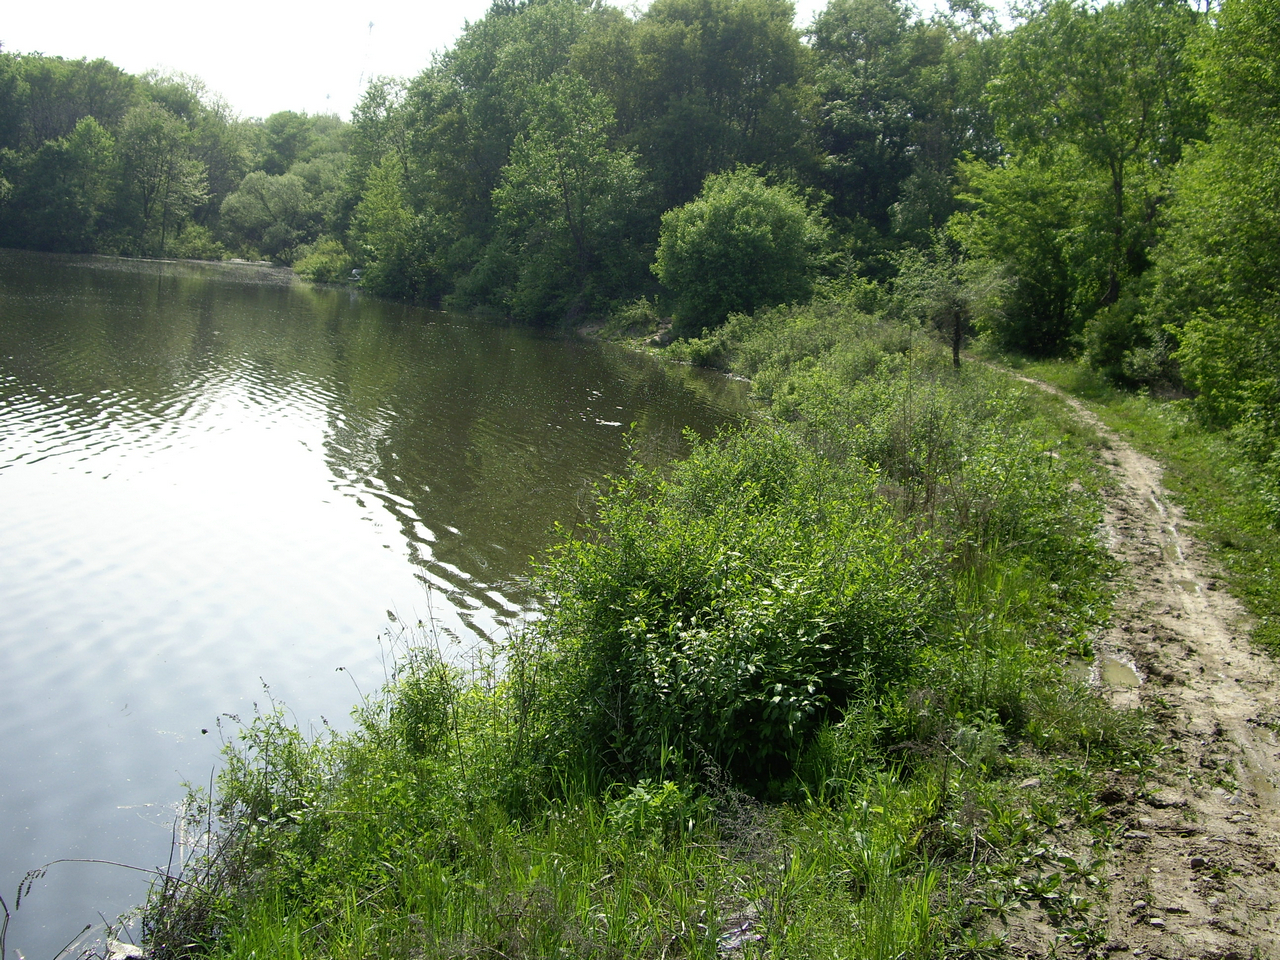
742	245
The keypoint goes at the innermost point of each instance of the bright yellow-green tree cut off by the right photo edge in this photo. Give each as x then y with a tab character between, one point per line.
1218	268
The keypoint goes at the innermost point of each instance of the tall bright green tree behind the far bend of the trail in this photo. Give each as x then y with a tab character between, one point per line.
1101	99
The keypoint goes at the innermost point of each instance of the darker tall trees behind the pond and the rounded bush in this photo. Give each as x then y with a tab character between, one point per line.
531	166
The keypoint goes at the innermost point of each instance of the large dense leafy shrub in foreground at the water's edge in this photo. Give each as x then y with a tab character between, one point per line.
732	610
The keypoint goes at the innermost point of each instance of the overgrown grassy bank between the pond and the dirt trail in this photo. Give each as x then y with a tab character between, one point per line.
802	694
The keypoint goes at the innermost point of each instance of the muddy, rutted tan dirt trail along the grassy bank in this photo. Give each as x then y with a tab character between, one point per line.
1197	870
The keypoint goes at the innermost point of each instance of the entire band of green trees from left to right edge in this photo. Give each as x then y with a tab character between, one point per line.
1098	180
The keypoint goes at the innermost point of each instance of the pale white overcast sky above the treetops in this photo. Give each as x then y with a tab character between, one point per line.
262	57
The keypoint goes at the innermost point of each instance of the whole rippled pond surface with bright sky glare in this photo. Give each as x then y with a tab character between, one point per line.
214	478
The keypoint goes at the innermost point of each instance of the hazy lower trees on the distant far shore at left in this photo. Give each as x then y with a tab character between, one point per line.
94	161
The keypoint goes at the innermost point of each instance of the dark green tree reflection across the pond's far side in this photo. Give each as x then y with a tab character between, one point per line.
474	438
